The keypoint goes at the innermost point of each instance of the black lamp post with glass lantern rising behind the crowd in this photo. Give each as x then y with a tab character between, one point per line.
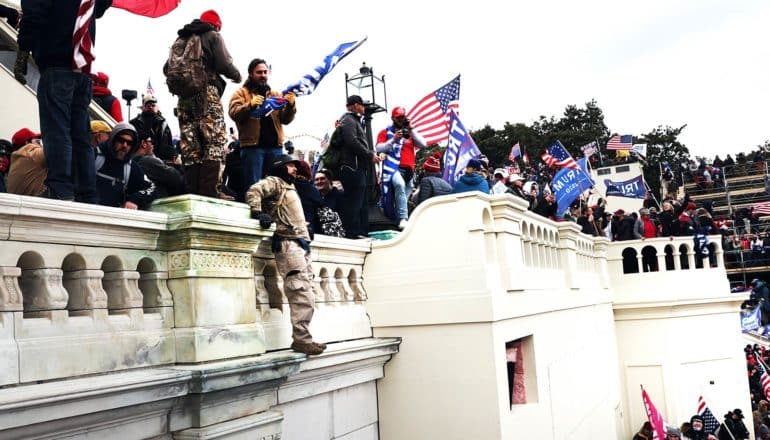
371	88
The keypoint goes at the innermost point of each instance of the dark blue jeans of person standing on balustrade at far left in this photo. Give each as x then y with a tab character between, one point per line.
63	97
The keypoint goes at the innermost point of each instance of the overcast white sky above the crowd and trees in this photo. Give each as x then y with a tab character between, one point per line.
703	63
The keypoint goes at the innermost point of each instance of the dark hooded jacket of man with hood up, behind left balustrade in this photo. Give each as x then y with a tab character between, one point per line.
111	186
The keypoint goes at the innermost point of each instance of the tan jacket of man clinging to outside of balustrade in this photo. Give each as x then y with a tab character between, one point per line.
274	196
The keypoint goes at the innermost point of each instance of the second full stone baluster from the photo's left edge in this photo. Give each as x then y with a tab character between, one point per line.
87	296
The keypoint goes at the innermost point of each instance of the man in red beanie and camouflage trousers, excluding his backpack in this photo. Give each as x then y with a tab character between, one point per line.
201	116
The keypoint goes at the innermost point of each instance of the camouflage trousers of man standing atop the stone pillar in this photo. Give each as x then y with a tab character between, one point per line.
202	129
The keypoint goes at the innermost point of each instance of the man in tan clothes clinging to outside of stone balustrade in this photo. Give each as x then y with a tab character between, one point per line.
275	198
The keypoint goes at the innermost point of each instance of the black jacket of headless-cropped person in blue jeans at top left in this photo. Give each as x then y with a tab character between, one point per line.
46	30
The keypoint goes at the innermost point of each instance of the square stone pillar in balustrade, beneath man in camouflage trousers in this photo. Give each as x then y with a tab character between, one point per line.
211	277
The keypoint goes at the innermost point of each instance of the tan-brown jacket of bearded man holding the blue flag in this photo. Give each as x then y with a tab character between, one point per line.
248	127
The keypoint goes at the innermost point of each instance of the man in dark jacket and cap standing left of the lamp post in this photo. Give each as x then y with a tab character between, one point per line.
354	163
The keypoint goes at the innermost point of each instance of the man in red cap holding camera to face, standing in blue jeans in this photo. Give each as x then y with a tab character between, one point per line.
399	142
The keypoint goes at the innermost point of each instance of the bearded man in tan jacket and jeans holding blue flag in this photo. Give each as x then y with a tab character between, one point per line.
261	138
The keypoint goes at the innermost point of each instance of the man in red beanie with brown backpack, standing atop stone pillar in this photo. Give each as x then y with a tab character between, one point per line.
196	61
